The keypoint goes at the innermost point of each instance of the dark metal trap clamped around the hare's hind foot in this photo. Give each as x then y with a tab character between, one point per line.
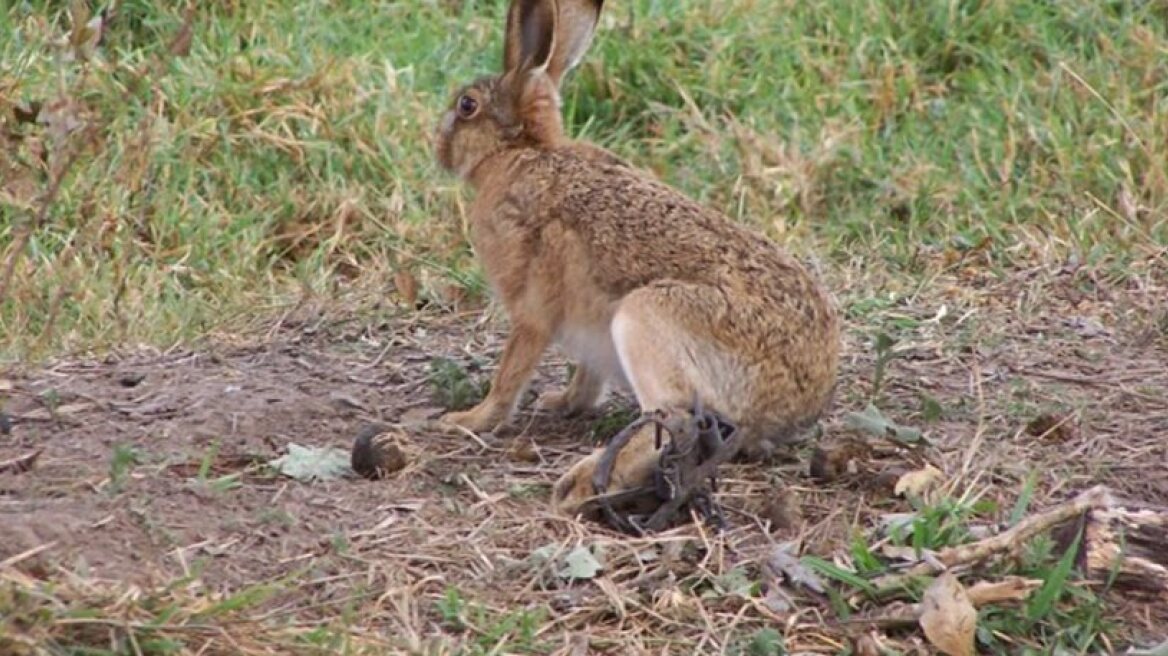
686	476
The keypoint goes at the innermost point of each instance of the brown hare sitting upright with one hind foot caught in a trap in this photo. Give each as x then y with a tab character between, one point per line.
643	288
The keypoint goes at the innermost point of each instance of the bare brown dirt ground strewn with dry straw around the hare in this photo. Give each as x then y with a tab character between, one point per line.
468	514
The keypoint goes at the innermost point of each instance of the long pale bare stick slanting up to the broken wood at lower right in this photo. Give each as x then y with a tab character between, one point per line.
1099	497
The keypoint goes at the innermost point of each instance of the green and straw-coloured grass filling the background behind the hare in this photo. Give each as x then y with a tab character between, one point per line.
288	152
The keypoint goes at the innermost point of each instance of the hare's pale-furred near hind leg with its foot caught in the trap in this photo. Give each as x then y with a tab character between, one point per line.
669	361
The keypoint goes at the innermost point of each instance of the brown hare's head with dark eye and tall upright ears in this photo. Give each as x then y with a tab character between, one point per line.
545	39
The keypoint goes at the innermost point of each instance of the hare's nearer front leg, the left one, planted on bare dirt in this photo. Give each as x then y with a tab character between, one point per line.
522	355
